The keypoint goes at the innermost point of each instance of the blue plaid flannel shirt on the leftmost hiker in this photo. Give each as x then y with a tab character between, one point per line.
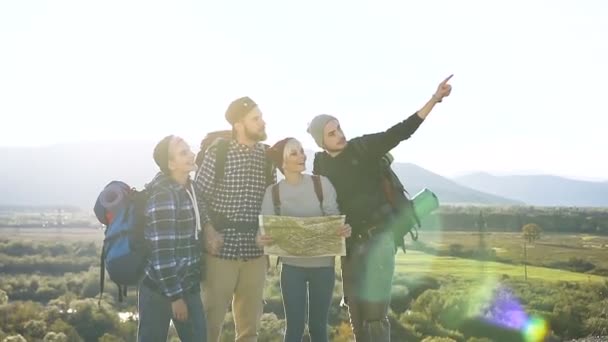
174	262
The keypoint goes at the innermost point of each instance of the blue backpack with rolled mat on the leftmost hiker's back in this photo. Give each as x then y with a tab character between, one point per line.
121	209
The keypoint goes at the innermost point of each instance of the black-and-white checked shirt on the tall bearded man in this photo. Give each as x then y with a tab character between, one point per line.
237	197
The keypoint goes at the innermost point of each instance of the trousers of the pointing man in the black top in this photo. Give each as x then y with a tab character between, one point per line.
367	276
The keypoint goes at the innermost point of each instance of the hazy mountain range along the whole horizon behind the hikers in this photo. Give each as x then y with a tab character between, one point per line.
74	174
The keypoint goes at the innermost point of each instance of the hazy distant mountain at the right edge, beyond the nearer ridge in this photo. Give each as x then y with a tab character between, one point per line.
541	190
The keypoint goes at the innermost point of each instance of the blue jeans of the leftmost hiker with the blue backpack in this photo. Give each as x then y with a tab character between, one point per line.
155	314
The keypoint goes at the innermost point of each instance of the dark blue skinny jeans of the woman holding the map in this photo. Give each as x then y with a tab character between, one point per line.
296	283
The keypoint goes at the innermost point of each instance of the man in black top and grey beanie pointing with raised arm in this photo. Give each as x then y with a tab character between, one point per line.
355	167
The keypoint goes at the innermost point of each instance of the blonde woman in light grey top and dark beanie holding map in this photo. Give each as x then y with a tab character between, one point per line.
314	276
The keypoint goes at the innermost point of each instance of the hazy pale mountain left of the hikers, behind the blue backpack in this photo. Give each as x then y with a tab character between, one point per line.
70	174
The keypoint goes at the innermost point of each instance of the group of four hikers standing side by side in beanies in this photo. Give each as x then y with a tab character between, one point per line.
206	250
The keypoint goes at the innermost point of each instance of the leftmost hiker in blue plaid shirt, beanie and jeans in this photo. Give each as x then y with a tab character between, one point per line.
170	289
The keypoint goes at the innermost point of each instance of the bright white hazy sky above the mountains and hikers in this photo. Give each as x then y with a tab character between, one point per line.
529	85
